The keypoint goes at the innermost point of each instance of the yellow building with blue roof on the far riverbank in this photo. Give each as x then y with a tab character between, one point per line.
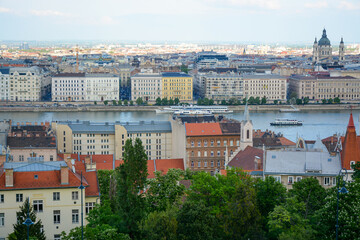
177	85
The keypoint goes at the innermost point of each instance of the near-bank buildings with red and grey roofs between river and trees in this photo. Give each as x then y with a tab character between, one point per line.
47	162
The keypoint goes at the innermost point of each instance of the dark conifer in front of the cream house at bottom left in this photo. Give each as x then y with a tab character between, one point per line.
20	229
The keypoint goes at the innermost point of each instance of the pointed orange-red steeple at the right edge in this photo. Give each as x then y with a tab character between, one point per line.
350	149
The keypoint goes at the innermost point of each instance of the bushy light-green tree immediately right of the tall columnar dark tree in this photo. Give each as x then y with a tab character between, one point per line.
164	190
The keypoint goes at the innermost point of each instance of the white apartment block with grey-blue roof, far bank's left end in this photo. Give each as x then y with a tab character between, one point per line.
27	84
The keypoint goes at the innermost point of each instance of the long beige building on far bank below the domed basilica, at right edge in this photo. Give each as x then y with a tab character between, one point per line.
325	87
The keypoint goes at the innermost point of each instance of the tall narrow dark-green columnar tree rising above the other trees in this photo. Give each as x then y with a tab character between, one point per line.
131	182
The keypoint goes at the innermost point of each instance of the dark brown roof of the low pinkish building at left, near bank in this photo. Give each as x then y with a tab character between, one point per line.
27	142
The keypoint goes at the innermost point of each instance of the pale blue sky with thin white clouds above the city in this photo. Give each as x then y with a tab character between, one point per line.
238	21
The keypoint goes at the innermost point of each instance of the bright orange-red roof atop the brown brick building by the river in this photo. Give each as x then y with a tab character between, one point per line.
202	129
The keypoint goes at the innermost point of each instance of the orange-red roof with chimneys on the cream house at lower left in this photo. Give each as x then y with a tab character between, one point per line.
45	179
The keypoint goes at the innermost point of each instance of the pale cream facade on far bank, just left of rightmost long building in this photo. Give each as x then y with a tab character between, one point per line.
273	87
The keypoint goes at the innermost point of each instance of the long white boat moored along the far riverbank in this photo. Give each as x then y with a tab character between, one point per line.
208	109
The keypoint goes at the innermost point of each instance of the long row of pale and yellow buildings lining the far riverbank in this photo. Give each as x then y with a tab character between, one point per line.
34	84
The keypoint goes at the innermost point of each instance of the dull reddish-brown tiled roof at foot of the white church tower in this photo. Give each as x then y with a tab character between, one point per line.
246	159
